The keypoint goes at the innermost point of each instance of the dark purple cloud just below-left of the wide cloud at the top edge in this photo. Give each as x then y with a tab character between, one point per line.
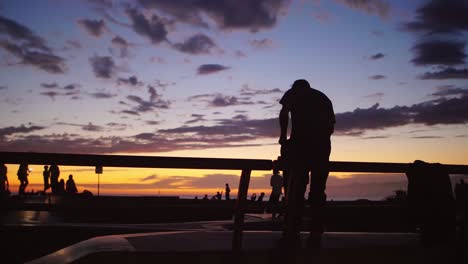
154	29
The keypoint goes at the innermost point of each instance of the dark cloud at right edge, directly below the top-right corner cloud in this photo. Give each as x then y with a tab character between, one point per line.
439	52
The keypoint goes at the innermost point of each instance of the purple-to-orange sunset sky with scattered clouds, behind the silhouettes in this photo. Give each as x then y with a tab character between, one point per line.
202	78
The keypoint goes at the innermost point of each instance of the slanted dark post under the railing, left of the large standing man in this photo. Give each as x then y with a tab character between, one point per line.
240	210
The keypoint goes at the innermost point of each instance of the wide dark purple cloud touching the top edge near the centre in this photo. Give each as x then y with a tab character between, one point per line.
227	14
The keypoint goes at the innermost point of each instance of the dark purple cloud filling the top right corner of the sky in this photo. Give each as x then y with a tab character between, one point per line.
440	16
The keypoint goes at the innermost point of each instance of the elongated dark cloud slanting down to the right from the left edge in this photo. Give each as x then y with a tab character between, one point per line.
29	47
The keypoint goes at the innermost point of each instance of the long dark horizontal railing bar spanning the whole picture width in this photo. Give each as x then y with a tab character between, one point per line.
197	163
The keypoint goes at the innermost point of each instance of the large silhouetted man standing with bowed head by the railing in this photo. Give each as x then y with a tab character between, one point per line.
307	150
